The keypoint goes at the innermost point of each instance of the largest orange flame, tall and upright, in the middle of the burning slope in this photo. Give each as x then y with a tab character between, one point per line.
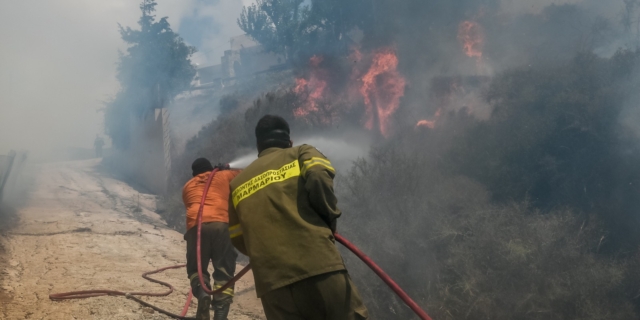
382	87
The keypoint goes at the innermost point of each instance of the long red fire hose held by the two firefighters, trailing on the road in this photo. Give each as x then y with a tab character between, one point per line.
95	293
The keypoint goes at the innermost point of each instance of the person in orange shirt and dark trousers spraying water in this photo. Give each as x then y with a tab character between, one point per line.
215	243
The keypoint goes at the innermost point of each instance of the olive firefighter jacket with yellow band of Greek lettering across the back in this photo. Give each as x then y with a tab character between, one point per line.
281	214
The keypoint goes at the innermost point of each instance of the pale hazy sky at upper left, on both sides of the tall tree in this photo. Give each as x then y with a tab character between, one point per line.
58	62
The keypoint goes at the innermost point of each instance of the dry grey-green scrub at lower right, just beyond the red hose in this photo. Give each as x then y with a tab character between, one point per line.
461	257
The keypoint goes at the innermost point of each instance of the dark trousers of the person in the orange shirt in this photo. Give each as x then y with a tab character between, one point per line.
215	247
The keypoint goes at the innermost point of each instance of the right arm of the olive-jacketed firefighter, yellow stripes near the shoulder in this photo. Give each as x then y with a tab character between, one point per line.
318	174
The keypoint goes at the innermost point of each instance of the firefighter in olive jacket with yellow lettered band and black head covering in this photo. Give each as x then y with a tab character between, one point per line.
282	214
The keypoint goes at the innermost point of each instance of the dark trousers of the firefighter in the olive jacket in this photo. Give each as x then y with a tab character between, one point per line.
329	296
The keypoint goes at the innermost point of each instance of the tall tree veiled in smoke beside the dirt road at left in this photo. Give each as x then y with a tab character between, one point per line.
154	70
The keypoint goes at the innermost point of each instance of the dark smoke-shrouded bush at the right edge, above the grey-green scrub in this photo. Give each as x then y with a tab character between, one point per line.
555	139
